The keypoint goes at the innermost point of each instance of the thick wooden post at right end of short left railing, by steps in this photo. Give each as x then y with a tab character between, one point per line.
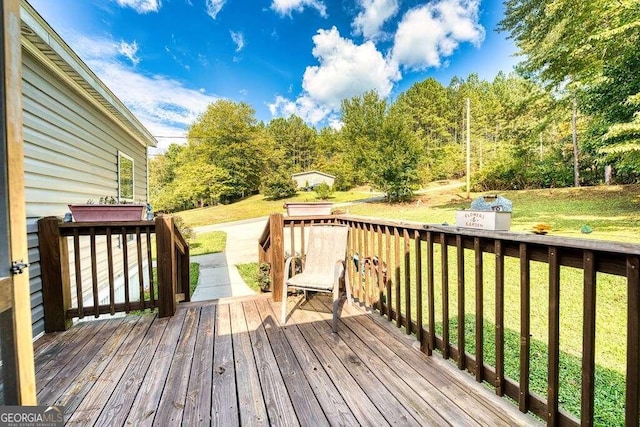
165	264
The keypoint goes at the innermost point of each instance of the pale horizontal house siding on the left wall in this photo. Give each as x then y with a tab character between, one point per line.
71	155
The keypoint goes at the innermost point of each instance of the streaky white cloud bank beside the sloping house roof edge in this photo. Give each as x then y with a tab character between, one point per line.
163	105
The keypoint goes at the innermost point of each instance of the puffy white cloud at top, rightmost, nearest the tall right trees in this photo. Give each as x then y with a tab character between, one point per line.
431	32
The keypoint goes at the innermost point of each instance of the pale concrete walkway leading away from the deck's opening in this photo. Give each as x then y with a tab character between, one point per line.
219	277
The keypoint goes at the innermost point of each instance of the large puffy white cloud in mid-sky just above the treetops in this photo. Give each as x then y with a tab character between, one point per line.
346	70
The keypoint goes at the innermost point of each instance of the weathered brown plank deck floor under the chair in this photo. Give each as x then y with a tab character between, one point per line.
230	363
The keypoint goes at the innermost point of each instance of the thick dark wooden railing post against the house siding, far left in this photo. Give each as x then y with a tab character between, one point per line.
54	264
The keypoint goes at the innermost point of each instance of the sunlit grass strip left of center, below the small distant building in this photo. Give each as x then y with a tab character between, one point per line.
256	206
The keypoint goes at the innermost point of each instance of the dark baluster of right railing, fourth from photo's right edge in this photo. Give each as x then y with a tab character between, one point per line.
525	328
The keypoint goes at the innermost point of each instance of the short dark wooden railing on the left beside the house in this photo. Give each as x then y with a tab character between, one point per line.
103	255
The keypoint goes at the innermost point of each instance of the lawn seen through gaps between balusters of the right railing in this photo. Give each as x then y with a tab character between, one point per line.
611	312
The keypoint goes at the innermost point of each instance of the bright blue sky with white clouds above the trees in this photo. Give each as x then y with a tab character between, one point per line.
168	59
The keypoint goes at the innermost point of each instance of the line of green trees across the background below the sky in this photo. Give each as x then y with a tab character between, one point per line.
566	117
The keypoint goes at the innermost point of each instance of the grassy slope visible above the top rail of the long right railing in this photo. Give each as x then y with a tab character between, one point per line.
613	212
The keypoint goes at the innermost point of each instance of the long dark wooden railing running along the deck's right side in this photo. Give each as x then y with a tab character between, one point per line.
405	274
